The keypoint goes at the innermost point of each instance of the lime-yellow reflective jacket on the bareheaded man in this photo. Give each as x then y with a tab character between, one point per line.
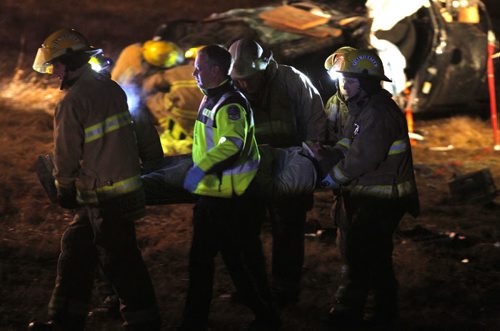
224	145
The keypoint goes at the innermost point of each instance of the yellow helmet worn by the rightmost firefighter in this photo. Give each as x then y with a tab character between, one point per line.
363	63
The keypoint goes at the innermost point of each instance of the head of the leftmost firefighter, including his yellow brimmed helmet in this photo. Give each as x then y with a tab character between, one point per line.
63	50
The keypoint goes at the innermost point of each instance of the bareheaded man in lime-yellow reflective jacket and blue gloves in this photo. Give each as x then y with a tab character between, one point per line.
226	159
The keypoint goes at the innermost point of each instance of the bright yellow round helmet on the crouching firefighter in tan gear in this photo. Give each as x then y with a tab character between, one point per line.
162	54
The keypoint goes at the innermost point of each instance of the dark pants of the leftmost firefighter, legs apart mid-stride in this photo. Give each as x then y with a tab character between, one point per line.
91	239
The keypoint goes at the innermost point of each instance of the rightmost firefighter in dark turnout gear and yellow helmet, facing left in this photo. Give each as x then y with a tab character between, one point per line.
375	177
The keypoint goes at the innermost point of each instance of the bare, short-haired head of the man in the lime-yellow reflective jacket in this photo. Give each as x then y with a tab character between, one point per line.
212	66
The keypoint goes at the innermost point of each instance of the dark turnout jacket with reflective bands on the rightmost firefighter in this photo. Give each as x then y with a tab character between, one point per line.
375	143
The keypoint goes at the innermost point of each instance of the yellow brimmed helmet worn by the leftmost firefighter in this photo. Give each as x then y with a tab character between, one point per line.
60	43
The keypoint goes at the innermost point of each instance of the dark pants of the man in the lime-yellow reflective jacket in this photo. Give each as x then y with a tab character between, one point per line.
227	226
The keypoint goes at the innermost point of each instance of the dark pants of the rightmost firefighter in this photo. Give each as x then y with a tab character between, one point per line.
366	242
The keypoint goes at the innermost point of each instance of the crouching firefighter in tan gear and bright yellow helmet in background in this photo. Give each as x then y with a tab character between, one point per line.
157	78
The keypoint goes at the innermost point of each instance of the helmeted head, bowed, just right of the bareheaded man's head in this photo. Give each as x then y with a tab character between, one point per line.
250	63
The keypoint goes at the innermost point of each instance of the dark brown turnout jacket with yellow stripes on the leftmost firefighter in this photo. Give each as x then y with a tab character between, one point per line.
96	150
